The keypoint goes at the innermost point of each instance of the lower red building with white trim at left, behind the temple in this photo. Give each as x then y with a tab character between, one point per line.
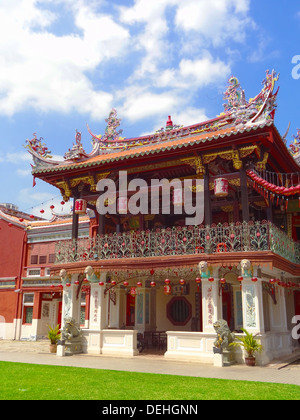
30	299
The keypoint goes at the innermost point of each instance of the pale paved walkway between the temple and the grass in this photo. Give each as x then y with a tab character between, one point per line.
38	352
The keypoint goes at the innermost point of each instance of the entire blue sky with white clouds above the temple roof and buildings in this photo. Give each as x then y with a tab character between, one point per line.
66	63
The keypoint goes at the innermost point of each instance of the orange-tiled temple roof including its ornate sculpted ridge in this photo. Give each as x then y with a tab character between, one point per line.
239	116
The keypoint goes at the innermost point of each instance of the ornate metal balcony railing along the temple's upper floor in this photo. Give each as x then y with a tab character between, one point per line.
234	237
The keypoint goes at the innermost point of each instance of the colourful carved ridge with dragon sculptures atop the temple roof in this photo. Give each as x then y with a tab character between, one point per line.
238	112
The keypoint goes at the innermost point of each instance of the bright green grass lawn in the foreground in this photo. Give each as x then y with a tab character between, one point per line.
21	381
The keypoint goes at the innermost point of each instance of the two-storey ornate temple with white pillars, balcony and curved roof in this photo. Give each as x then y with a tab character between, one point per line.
156	275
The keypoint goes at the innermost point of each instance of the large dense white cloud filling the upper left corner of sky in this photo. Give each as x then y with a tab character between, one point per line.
47	72
